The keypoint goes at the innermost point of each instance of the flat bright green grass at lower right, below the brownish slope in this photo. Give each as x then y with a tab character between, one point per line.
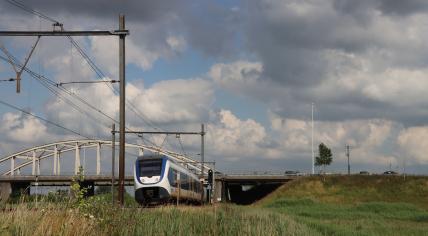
373	218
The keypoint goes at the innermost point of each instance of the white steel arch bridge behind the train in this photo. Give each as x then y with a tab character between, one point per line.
12	164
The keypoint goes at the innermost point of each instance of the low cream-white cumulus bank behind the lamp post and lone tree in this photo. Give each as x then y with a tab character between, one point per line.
369	139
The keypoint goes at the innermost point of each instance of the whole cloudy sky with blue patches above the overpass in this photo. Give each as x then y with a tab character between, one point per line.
249	70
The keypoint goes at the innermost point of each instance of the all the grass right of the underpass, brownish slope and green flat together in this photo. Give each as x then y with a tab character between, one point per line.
355	205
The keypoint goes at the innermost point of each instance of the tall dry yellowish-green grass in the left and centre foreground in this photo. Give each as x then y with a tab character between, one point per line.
53	219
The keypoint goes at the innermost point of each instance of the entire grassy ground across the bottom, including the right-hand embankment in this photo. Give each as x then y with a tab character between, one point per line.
357	205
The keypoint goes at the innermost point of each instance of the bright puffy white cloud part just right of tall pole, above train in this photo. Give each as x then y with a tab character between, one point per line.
174	101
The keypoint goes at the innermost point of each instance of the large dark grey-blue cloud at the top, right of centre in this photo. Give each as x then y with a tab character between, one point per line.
292	45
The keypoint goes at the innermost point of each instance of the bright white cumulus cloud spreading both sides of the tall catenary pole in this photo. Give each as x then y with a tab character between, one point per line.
164	103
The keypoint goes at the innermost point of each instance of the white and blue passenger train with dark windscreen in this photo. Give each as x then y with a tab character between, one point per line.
158	180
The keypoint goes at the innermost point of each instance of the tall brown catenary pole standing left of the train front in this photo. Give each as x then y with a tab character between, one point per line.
122	109
